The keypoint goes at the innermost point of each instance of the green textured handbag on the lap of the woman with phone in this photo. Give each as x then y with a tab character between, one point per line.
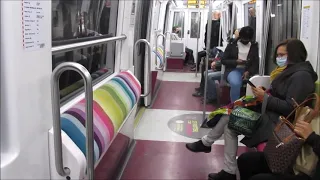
244	121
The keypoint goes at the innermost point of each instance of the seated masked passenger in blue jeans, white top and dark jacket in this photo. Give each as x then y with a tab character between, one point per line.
241	59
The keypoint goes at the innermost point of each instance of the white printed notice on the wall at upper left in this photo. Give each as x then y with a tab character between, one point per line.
32	24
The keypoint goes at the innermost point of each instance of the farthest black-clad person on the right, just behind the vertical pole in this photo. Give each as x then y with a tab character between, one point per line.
214	41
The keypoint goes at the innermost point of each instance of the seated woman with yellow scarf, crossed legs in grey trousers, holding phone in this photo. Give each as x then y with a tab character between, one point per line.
297	81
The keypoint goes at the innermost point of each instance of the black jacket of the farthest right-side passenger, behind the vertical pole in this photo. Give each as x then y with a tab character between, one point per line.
215	31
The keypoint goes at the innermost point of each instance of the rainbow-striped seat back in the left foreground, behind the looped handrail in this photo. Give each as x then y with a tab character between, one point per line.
112	102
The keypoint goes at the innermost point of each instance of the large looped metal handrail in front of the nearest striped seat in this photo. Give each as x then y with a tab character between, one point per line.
55	96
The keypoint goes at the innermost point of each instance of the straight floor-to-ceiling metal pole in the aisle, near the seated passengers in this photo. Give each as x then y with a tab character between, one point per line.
207	60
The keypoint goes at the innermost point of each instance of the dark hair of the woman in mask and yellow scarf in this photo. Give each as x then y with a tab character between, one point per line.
296	51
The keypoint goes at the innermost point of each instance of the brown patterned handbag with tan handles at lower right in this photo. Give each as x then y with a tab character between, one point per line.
284	146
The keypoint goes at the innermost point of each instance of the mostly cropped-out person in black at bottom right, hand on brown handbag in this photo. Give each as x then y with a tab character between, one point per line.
253	165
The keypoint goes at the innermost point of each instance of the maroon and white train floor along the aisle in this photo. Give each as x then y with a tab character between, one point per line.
173	119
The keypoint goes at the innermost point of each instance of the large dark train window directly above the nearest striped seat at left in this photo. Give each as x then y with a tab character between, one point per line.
78	21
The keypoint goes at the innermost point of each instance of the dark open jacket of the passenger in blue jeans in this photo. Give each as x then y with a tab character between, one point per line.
230	57
